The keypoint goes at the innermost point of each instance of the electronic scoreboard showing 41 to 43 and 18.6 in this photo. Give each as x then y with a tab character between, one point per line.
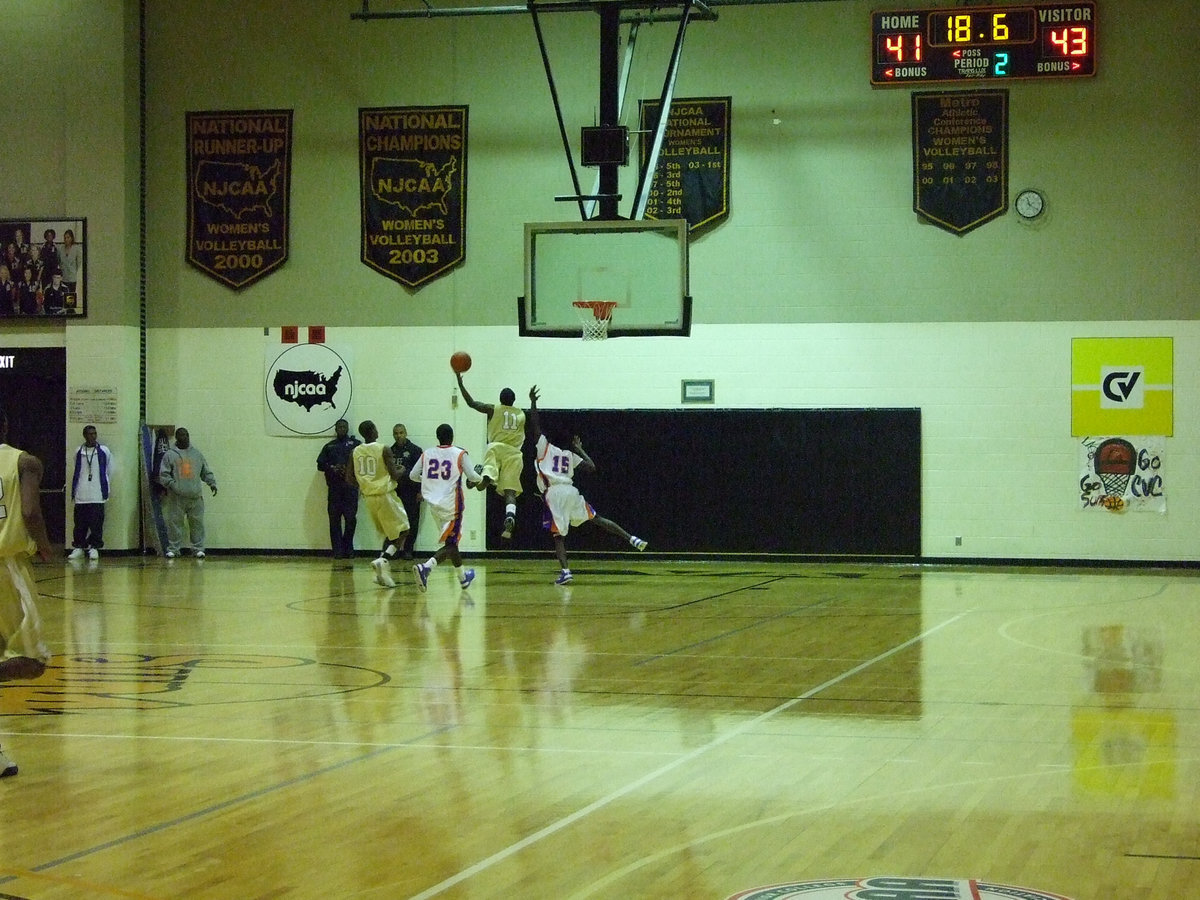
971	44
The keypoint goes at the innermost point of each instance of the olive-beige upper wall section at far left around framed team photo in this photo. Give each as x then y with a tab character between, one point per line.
69	139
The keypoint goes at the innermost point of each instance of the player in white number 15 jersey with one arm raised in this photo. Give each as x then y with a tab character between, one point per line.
556	481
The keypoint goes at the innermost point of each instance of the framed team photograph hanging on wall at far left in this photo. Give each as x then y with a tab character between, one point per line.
44	268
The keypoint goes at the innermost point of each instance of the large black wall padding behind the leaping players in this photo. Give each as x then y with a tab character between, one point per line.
800	482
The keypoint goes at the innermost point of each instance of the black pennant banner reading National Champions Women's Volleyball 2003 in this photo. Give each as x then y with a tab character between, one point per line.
413	170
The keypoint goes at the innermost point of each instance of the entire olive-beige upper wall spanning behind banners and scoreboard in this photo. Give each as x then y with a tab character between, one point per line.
821	227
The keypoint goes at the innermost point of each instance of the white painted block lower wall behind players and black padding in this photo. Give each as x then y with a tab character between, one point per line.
1001	470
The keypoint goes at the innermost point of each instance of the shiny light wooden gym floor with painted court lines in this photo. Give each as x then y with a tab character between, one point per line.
283	728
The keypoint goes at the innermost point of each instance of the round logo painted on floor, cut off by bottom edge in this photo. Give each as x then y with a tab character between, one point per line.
895	889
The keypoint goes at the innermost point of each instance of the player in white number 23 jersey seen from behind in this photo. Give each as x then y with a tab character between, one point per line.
441	472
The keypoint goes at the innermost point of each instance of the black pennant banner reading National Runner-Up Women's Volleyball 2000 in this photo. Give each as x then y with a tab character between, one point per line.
239	181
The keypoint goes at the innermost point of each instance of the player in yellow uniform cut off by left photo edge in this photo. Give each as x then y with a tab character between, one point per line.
23	653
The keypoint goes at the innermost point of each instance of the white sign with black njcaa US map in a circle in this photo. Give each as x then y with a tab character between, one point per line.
309	388
